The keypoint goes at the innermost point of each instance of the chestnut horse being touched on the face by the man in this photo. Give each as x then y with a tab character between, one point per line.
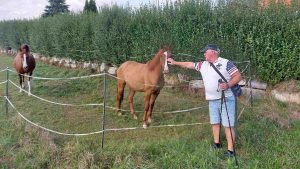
147	78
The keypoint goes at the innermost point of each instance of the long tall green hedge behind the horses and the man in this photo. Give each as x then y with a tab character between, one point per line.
269	37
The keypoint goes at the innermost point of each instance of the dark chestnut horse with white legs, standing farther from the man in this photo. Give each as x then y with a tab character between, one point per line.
24	63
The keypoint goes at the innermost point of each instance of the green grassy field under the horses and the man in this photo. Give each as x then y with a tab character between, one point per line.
268	135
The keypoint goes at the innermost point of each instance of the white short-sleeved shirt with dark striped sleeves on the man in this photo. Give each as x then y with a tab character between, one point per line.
211	77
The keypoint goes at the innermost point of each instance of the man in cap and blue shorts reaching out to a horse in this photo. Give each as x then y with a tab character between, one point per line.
213	90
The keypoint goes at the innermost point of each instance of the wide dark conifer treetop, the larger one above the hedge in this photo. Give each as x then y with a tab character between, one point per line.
55	7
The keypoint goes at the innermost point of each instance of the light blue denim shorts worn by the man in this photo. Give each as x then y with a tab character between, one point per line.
214	111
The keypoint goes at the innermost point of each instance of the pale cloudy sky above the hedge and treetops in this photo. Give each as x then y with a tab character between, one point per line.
30	9
